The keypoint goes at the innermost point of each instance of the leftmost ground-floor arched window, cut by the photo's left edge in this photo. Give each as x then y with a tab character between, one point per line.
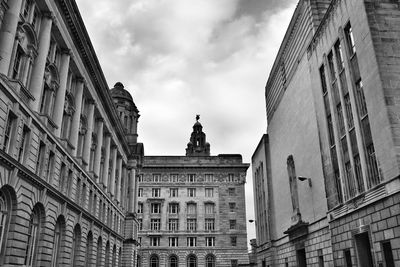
7	198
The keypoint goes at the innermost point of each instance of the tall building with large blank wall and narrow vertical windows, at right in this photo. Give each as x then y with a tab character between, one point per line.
326	174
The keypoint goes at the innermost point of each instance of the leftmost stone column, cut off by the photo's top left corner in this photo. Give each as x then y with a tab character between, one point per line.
7	34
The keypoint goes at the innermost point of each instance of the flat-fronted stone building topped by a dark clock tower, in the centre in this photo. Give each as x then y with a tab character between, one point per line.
191	208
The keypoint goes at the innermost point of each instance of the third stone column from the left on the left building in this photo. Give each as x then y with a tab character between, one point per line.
60	97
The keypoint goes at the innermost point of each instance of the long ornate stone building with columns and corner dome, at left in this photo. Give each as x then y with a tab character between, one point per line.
69	152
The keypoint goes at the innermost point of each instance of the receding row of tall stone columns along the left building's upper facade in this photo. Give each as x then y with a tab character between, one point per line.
7	37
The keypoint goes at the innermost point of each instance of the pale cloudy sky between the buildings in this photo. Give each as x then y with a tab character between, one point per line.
179	58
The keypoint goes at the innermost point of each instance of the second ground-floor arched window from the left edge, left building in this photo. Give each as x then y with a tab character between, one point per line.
34	230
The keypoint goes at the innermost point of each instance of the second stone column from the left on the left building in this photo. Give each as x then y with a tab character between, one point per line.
40	62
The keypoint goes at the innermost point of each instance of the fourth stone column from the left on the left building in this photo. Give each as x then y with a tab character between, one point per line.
76	119
